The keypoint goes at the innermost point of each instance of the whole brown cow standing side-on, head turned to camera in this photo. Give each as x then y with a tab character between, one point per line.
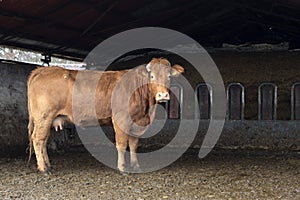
50	93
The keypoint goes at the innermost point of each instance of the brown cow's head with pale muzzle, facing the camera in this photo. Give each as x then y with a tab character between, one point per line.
159	71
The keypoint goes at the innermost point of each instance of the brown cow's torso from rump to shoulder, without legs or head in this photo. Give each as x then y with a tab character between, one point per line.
71	92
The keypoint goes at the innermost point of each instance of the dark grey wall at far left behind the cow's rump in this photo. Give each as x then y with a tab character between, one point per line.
13	106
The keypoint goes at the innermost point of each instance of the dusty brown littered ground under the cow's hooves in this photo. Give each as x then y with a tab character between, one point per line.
218	176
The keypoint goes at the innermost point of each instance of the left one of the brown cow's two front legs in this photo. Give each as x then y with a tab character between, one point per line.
121	144
